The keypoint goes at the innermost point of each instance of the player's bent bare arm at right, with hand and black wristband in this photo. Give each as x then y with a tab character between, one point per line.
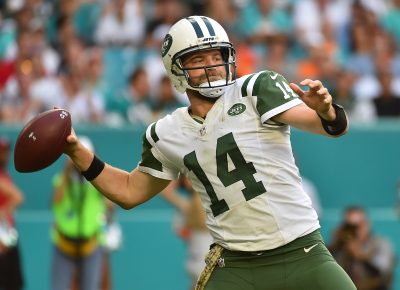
318	114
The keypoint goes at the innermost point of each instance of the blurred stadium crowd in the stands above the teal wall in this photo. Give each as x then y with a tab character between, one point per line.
100	59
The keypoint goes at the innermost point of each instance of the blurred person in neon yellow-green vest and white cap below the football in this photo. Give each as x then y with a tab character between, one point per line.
79	219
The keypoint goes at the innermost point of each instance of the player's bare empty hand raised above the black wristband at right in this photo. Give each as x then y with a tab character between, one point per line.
317	98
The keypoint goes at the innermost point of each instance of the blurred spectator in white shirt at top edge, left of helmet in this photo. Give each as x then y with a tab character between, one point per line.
122	23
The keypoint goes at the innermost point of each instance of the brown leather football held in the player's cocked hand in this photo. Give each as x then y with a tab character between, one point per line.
42	141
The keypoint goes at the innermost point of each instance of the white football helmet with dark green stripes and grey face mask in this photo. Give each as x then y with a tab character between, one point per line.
196	33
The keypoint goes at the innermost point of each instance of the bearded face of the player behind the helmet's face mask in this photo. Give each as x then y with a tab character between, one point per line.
202	59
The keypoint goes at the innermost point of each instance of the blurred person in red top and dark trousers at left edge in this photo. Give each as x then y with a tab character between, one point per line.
11	276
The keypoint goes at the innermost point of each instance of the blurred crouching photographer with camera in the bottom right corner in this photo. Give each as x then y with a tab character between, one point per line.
366	257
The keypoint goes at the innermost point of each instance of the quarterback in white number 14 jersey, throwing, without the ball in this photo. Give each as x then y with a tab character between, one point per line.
233	143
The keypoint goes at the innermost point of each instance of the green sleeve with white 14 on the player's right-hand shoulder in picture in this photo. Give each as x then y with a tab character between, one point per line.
270	89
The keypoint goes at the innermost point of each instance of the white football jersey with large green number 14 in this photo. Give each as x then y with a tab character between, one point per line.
241	163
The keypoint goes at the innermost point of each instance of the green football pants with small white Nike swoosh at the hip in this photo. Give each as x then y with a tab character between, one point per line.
304	264
